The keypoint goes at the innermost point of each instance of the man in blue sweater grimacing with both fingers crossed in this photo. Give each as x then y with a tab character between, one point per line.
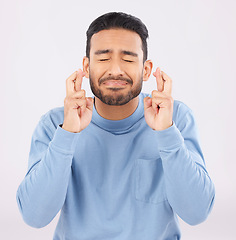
122	164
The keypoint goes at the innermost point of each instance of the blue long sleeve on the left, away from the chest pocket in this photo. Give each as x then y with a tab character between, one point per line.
42	192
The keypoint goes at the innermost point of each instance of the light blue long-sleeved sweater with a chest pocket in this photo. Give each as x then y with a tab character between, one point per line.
116	180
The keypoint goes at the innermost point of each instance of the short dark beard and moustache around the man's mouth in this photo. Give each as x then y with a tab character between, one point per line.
116	99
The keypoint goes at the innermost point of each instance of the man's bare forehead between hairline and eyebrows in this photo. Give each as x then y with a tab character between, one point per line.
116	39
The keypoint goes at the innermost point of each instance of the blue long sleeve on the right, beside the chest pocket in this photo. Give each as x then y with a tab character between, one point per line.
190	191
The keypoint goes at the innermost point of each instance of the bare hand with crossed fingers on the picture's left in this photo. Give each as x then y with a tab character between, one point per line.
78	109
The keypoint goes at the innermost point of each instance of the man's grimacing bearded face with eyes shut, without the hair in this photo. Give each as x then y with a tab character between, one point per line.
116	66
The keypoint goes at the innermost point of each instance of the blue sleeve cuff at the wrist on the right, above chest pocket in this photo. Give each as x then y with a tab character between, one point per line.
169	138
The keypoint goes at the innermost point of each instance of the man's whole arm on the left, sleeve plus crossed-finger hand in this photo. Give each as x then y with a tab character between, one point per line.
43	191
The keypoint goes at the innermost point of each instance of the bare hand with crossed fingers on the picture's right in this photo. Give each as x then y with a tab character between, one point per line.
158	110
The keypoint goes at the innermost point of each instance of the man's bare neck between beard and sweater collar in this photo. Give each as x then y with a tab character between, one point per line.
116	112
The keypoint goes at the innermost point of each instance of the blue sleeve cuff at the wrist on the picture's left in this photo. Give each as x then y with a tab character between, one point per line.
64	140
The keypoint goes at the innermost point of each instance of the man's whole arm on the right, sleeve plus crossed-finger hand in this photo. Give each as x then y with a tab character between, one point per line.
189	188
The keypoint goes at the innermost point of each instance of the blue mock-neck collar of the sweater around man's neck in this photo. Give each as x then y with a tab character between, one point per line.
119	125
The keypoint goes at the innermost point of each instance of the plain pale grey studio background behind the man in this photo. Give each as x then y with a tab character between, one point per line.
43	42
